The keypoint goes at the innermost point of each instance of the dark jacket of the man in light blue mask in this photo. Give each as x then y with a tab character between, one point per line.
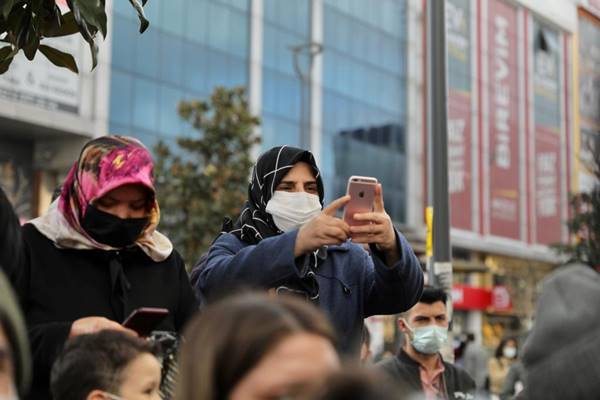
405	371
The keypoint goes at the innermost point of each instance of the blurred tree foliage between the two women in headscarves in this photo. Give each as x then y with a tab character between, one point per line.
206	177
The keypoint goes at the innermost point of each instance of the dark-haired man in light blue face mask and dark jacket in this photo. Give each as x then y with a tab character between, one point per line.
419	364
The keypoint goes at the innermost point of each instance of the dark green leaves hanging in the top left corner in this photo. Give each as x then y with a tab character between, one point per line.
24	24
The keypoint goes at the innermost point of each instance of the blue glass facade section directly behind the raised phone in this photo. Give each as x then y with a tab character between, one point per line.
364	97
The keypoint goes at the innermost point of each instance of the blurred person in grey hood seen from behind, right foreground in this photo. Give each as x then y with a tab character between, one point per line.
561	353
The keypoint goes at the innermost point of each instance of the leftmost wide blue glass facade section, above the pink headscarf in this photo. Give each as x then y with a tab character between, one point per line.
190	47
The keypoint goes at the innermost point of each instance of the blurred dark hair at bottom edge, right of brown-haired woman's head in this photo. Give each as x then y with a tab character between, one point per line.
362	384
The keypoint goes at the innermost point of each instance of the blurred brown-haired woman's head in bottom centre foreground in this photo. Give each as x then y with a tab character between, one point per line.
253	347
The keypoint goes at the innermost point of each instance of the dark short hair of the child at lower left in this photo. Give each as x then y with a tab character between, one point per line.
95	361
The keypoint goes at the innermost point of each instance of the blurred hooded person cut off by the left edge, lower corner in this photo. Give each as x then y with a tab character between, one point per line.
15	359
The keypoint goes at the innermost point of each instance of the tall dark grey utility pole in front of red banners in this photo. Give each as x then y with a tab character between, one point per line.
440	264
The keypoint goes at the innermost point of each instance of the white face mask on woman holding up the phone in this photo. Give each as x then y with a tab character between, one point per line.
291	210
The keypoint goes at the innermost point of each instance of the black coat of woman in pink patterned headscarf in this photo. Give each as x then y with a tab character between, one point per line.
59	286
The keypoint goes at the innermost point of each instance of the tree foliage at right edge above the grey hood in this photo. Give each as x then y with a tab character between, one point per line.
584	221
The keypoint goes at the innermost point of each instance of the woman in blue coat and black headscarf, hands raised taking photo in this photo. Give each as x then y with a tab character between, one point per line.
285	242
